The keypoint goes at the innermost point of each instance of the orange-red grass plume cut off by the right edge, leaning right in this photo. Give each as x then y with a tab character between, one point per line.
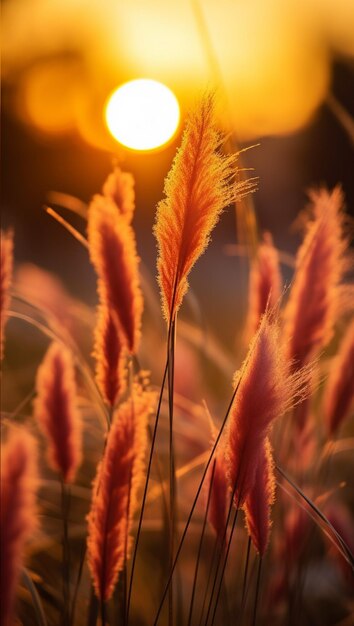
339	394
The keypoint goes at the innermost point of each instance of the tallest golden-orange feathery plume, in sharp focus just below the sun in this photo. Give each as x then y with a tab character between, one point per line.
197	188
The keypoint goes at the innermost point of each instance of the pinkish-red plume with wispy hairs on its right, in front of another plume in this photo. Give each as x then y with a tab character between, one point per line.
266	391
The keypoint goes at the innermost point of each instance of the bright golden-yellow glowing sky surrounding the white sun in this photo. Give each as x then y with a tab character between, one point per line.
270	60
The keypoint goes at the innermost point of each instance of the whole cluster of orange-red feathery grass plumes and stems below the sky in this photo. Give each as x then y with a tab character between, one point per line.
140	516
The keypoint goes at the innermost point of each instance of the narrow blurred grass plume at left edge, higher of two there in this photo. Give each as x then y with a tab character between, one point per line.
6	267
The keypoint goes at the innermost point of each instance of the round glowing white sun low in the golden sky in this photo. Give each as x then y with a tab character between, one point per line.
142	114
